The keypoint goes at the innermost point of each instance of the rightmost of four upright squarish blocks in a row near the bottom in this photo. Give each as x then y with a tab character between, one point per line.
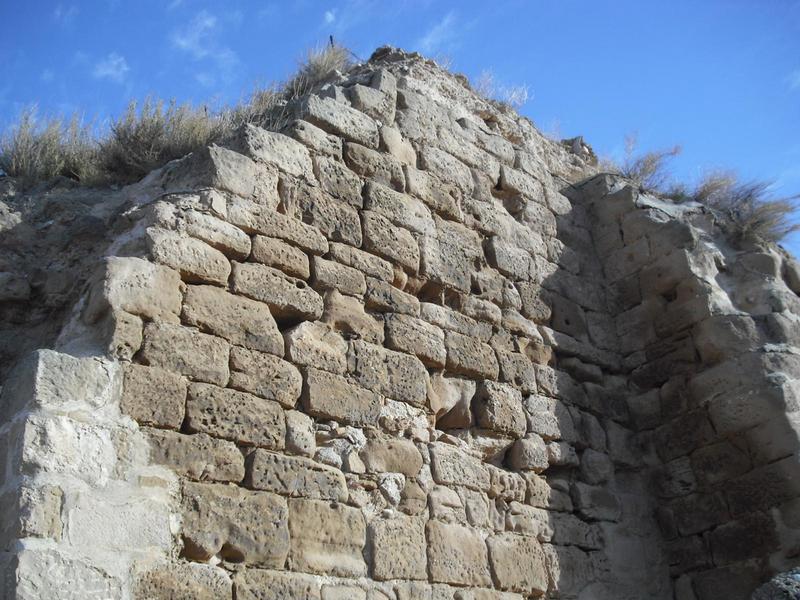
518	563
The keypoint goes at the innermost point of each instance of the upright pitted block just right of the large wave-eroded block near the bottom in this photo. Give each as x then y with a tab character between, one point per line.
398	548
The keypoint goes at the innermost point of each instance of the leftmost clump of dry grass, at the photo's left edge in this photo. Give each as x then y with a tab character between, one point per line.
36	151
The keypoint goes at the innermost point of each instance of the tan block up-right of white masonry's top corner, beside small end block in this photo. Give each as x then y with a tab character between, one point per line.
181	350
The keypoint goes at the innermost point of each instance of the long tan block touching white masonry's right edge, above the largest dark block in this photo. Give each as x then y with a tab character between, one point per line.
199	457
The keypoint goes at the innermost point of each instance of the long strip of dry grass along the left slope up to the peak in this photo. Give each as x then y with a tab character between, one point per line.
152	133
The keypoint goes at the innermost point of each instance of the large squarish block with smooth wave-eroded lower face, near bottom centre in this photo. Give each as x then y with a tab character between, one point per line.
326	538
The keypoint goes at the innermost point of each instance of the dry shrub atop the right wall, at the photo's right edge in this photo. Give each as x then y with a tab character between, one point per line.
748	210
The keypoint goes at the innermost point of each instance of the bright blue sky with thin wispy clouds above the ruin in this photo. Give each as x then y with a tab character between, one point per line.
719	77
